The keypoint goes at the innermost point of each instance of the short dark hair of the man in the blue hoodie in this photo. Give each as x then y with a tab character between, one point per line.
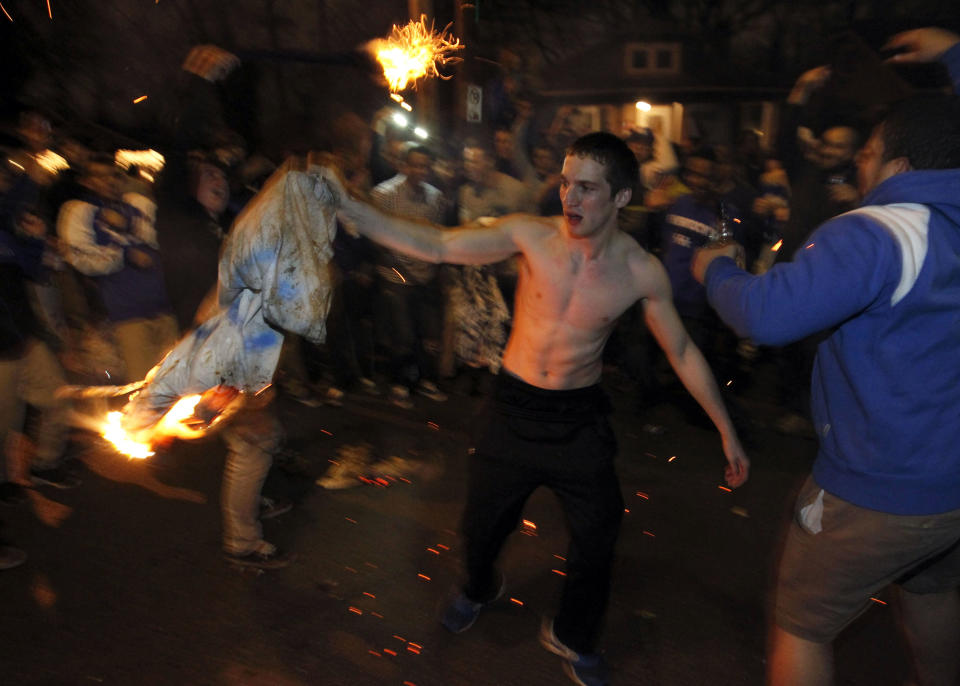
925	130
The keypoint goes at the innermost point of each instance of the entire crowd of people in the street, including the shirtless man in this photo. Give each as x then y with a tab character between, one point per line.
502	270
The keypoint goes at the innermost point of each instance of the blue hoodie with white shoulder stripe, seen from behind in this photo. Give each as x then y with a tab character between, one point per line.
885	279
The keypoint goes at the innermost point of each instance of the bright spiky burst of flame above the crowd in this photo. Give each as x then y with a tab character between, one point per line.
413	52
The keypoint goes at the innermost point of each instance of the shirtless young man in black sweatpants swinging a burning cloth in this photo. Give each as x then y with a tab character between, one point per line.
547	425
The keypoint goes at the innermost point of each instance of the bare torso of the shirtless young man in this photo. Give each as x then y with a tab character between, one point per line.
567	304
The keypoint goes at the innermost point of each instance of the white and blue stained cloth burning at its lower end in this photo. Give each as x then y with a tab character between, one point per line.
273	277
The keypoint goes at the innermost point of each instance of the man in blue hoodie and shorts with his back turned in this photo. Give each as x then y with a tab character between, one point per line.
883	503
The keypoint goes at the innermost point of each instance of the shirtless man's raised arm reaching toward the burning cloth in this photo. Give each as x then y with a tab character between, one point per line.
426	241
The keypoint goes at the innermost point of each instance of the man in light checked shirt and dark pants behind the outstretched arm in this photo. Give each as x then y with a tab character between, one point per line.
411	310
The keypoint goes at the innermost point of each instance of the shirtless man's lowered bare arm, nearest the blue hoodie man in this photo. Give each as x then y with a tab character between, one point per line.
692	369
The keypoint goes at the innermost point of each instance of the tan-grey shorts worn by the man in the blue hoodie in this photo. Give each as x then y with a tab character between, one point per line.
838	555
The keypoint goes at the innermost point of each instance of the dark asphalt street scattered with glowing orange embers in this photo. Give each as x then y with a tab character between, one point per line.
125	583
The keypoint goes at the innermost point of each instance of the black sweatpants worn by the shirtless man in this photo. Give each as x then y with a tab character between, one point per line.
532	437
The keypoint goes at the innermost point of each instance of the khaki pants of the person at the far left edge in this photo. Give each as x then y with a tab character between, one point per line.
32	379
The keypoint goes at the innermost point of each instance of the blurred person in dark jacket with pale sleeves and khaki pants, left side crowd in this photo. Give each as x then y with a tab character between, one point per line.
111	237
